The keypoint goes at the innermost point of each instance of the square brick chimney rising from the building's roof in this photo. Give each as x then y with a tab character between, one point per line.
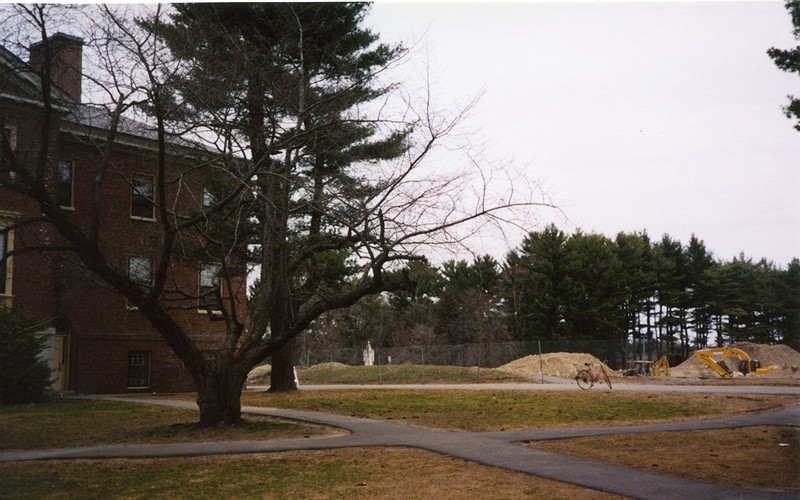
66	62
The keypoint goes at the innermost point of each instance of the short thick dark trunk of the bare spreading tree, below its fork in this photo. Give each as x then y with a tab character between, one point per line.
219	397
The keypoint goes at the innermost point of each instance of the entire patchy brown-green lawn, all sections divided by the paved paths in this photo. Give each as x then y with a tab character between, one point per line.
381	472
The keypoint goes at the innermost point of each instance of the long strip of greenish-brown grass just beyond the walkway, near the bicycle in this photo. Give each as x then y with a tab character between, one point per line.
506	410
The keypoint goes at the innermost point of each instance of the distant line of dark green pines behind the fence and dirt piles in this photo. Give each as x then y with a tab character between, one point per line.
639	296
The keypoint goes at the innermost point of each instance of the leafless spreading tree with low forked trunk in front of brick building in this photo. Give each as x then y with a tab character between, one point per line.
250	144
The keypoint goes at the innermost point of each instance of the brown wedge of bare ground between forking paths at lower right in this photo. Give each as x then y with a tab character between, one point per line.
755	457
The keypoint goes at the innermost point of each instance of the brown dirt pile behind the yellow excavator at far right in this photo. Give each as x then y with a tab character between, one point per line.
786	359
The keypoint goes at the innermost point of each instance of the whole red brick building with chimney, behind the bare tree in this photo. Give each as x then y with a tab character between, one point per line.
97	342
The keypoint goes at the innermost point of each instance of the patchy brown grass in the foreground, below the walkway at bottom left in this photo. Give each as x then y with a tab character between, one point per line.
354	473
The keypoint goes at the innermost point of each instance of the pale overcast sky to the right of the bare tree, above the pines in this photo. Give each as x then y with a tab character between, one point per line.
657	117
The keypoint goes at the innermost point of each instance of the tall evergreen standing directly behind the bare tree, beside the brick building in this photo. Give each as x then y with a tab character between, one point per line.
307	65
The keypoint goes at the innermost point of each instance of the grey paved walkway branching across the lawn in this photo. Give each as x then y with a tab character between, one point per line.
497	449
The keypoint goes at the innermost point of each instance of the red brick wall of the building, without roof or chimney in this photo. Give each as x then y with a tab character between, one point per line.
103	329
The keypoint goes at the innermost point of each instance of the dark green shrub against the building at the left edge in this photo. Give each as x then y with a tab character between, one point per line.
23	375
